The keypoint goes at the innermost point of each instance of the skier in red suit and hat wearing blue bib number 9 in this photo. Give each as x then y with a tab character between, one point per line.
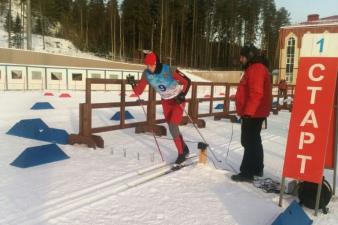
167	83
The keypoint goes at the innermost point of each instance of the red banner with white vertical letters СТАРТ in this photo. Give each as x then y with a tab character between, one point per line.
311	129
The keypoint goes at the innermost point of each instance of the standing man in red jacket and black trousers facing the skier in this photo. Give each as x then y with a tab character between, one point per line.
253	104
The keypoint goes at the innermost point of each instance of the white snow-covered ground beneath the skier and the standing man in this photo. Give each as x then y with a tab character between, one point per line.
96	186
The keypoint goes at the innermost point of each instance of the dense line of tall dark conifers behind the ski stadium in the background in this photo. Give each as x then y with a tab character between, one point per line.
204	34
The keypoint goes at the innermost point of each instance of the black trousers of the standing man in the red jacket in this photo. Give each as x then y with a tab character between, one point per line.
252	163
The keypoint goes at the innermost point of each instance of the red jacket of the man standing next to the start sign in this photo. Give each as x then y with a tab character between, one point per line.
253	97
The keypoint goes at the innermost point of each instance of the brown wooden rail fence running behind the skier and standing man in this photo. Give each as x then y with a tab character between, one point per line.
151	124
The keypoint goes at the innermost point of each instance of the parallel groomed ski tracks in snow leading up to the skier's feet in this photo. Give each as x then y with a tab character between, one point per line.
94	194
